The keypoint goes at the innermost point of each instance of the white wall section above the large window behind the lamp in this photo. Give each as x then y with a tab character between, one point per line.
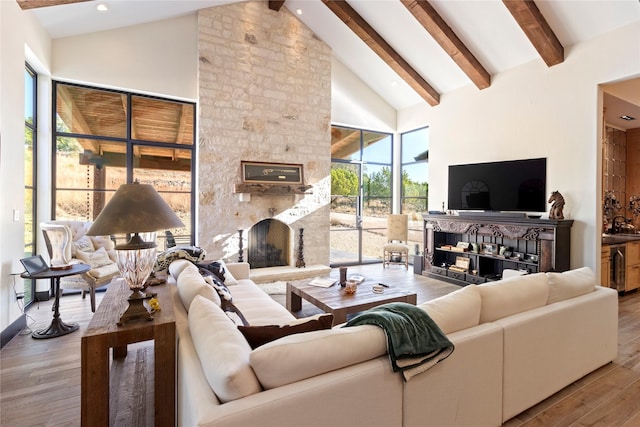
159	58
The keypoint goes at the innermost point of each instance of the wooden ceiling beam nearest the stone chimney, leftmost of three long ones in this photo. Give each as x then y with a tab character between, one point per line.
358	25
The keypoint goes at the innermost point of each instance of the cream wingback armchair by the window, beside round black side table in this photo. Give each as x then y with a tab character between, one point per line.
67	243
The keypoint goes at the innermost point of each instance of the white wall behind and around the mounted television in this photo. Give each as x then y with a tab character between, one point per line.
536	111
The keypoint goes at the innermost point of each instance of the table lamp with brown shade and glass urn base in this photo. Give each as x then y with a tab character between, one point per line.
133	209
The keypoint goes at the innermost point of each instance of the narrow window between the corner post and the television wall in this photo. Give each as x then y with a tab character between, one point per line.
414	182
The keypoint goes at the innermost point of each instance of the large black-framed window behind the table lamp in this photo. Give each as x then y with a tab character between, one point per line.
106	138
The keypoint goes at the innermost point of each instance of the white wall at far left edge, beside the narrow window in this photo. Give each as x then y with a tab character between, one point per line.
18	30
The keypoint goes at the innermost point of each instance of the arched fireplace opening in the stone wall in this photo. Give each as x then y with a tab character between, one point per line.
268	244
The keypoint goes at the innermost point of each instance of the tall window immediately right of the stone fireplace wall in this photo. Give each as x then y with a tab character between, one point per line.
360	194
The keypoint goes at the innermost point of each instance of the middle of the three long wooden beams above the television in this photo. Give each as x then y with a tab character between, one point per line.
449	41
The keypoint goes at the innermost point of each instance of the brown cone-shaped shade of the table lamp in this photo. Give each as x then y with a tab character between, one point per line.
134	208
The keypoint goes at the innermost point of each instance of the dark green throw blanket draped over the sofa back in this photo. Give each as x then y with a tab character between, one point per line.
414	342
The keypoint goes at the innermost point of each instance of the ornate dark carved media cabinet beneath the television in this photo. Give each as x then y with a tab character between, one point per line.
535	245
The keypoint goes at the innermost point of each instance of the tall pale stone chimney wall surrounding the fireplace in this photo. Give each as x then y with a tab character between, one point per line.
264	95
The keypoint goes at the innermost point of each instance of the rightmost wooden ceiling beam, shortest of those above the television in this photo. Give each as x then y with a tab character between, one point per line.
537	29
